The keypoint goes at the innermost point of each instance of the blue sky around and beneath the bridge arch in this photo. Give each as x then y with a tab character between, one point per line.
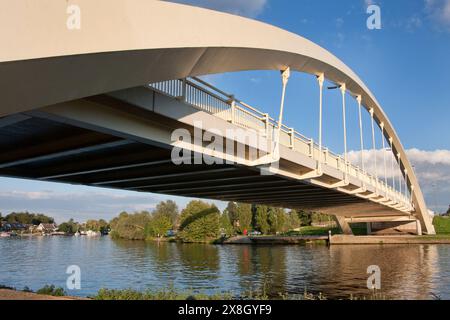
405	64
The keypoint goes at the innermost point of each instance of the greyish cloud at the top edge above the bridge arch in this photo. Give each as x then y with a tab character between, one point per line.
248	8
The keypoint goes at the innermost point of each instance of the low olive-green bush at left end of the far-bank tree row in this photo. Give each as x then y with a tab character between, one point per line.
130	226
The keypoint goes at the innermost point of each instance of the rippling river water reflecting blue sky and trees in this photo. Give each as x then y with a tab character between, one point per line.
407	272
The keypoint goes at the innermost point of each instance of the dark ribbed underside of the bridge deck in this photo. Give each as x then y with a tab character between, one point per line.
44	148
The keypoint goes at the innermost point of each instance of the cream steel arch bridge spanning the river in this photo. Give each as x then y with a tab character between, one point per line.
118	103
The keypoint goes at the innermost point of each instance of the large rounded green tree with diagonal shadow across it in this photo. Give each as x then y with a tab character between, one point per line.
199	222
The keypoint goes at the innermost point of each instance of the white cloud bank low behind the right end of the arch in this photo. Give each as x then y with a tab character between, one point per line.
432	169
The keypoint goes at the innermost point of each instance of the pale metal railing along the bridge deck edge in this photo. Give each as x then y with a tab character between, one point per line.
205	97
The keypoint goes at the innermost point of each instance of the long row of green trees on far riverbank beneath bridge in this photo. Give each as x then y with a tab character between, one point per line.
203	222
